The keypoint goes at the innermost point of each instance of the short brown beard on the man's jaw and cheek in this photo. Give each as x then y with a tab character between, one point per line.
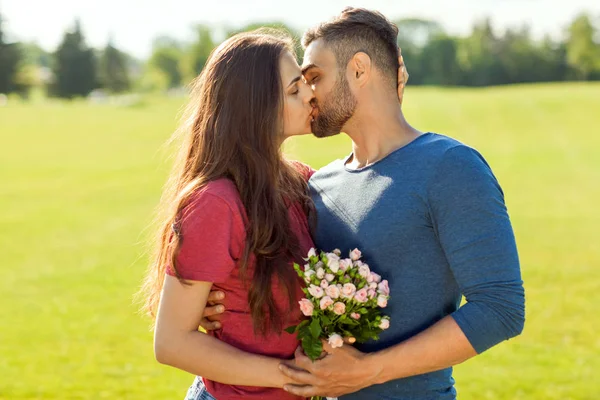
337	108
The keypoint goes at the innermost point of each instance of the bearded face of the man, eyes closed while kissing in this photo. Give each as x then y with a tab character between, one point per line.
334	102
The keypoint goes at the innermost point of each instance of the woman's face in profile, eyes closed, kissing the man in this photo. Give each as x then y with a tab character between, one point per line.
297	95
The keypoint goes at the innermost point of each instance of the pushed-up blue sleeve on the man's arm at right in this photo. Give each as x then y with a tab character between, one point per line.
474	229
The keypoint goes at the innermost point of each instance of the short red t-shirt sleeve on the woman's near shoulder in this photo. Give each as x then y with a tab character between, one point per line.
211	234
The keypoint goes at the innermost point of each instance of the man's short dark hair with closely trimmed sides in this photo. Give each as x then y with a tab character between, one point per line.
360	30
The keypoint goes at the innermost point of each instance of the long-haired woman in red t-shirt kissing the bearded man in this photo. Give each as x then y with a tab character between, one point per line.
235	220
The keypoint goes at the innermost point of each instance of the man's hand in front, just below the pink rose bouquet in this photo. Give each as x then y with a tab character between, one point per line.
343	370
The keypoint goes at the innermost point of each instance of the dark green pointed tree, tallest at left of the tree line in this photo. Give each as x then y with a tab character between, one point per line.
74	66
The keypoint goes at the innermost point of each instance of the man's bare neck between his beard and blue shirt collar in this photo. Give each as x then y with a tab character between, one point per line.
376	133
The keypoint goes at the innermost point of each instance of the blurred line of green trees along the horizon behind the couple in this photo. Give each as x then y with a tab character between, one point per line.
433	57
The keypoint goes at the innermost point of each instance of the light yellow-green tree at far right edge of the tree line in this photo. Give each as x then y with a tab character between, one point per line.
583	54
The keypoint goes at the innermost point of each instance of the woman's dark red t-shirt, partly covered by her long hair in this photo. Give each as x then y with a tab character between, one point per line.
213	232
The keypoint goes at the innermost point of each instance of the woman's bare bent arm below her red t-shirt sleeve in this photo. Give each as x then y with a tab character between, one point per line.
178	343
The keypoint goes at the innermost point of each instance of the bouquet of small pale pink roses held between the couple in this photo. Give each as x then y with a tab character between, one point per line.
343	298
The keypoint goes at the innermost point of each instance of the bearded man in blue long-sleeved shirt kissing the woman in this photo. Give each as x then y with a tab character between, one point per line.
427	213
